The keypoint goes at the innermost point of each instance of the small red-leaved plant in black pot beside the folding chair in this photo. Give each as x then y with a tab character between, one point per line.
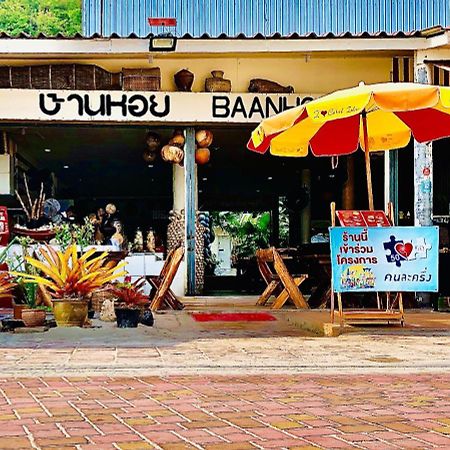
129	301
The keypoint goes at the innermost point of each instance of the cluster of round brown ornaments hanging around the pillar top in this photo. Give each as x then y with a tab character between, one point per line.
173	151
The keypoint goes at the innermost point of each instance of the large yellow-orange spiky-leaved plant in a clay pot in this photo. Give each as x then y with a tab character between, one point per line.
70	279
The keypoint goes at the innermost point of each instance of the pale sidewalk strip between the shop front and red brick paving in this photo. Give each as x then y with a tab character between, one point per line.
179	345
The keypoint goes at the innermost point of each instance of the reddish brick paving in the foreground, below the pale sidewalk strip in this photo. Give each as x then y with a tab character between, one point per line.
233	412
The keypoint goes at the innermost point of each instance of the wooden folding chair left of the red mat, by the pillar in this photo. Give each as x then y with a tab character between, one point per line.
162	282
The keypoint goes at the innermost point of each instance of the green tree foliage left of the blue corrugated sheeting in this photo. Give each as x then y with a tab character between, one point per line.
40	16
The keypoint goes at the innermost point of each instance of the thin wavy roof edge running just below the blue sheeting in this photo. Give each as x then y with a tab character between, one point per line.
347	35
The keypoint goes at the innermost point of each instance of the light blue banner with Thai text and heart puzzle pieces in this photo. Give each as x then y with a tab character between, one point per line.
384	259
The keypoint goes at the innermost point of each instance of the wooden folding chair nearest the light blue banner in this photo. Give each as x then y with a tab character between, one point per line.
281	283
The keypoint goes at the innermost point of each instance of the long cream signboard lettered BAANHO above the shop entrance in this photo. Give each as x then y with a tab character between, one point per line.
148	107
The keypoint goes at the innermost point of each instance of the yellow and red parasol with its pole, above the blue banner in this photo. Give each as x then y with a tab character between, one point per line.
376	117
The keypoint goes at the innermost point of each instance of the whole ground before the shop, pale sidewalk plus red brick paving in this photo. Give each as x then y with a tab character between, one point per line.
185	385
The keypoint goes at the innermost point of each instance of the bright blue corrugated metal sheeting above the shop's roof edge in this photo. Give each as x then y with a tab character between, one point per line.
266	17
